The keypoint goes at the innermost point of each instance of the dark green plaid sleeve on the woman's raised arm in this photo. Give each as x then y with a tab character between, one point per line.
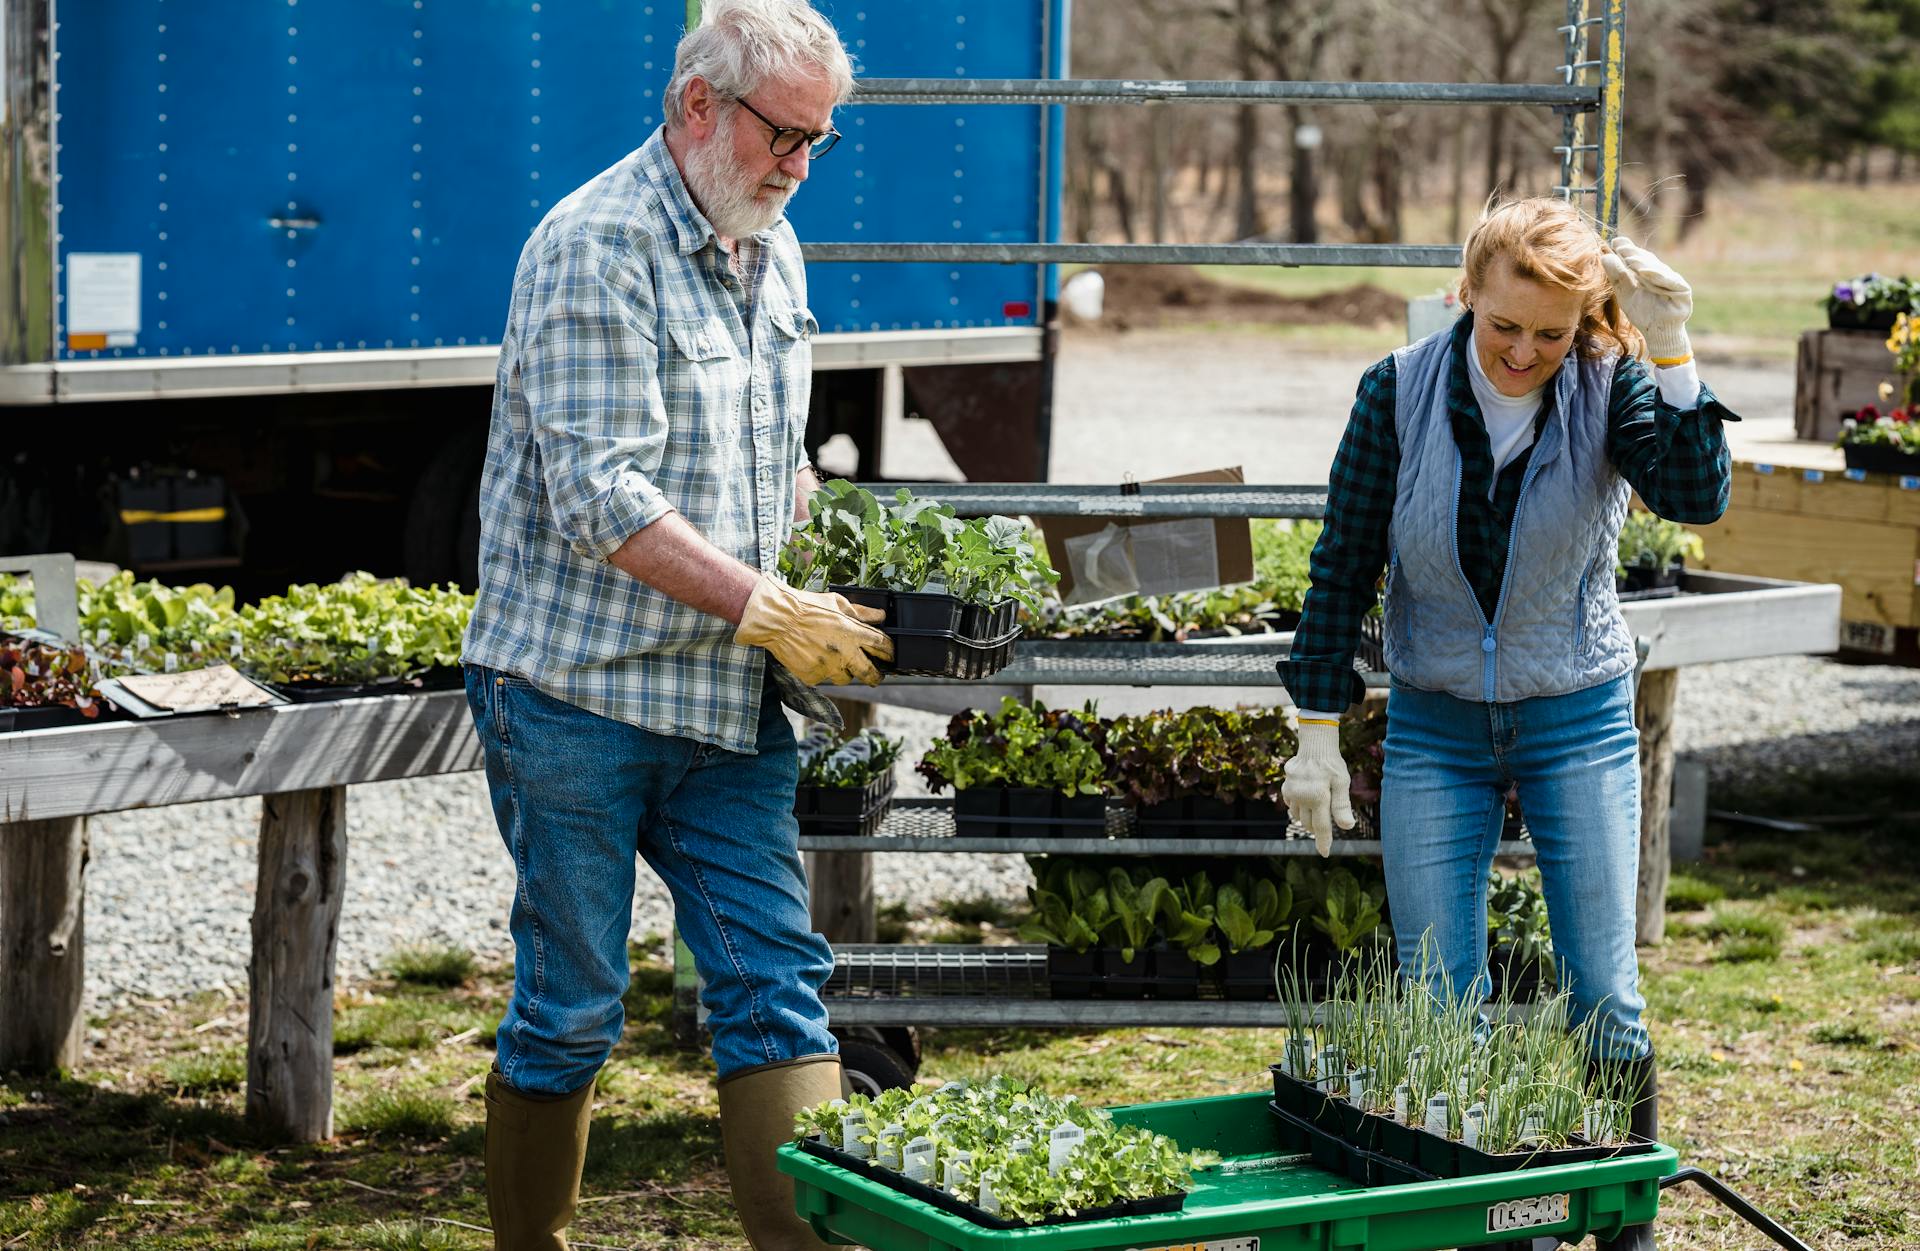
1677	460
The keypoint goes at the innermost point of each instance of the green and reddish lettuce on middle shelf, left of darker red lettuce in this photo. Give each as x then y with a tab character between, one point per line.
1022	745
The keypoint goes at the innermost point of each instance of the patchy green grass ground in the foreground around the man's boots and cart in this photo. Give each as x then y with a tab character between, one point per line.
1787	1008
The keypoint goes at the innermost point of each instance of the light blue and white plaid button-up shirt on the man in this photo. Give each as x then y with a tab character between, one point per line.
638	375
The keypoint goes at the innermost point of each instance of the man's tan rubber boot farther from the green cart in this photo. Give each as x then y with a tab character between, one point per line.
535	1150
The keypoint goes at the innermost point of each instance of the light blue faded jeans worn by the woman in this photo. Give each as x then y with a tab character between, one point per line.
1443	805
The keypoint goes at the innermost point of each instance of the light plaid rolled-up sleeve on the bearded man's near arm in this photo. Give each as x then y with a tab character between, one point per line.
590	371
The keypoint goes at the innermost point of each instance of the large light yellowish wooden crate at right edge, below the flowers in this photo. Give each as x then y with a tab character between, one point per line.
1817	525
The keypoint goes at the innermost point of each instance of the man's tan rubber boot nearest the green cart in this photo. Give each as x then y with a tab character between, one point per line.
757	1110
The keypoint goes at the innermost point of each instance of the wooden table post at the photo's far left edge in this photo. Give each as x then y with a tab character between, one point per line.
43	920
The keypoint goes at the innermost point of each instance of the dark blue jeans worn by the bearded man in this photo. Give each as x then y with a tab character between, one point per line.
577	795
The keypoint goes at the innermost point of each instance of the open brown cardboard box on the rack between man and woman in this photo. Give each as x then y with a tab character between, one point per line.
1103	557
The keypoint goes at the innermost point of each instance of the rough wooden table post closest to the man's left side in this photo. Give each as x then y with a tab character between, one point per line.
297	930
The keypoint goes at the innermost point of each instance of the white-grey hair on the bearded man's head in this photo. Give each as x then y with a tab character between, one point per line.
744	43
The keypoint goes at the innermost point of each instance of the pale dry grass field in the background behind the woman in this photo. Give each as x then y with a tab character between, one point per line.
1760	266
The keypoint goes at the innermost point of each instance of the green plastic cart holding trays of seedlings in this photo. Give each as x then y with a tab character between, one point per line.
1264	1196
